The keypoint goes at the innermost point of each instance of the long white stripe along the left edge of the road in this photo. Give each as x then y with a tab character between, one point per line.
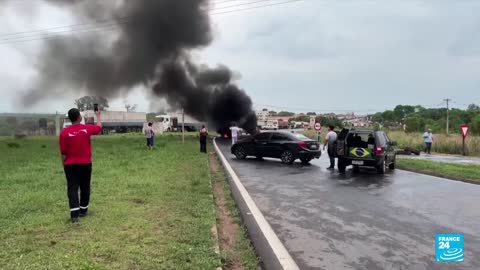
276	245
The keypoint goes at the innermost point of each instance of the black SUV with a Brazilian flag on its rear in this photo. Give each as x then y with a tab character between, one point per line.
365	148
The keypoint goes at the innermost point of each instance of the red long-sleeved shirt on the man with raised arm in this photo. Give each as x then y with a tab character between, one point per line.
75	143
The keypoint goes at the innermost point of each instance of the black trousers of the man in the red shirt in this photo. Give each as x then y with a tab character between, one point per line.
78	176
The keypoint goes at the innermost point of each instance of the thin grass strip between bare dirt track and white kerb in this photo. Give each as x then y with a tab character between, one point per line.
243	248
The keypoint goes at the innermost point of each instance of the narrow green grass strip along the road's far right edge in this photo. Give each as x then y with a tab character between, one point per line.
469	173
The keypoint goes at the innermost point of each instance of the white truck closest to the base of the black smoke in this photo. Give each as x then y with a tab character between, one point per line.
173	122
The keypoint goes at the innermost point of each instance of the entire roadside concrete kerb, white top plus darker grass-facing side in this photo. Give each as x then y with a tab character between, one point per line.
272	252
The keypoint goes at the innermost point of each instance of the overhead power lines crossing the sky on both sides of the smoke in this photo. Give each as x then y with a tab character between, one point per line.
113	25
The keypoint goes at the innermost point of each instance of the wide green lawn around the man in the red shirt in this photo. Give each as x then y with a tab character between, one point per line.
149	210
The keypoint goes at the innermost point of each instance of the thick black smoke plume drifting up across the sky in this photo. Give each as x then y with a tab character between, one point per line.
150	45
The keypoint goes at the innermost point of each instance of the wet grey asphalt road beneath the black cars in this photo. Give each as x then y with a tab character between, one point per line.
361	221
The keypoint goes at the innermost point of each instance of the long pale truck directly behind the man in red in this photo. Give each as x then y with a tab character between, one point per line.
114	122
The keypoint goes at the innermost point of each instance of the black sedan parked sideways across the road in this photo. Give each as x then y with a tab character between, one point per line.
275	144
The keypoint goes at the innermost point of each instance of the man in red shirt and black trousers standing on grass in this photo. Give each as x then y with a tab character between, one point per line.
76	151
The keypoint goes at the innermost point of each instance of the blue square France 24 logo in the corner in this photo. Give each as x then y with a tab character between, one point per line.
449	247
